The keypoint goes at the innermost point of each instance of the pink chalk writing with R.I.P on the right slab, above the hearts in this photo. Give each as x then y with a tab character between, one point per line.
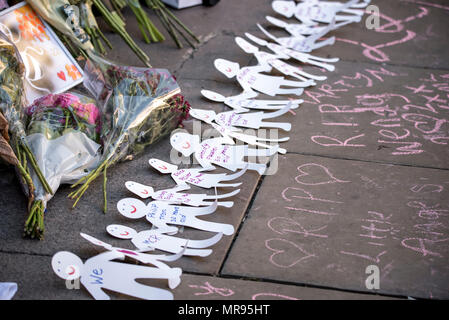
406	123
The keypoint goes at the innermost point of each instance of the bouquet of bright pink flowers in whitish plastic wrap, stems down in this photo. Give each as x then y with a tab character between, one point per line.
63	132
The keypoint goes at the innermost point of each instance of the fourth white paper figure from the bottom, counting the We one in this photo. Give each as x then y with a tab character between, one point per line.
172	196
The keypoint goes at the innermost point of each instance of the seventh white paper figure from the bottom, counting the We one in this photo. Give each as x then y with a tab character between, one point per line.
254	120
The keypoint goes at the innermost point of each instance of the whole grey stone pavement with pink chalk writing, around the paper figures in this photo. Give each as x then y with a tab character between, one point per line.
365	180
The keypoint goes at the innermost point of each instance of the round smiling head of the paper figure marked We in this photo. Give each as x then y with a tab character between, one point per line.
67	265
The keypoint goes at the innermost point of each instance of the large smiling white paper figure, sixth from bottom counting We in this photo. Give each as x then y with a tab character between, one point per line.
219	151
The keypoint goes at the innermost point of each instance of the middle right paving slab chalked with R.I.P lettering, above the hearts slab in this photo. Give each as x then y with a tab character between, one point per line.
375	113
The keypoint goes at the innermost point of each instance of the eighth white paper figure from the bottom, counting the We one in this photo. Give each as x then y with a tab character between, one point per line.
243	102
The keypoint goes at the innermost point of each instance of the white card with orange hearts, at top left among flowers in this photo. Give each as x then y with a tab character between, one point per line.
49	67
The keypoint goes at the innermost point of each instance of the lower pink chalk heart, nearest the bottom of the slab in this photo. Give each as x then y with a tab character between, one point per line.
286	253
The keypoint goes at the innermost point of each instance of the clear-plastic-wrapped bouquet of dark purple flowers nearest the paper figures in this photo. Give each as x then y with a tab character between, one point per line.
139	106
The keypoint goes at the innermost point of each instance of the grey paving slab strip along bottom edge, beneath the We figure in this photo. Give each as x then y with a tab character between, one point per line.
36	281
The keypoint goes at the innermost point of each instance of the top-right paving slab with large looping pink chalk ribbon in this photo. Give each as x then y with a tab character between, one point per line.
411	33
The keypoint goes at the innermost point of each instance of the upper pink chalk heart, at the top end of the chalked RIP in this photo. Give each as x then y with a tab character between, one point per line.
311	174
